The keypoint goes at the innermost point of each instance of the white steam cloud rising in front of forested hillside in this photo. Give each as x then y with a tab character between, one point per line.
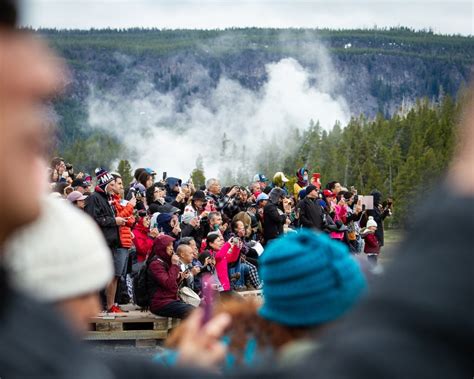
169	140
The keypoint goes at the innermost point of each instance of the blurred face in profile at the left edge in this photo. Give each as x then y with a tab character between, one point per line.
30	74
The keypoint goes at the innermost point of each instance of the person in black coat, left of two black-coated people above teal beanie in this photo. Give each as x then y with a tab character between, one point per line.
273	217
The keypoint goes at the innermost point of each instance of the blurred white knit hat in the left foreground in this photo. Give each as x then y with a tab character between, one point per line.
61	255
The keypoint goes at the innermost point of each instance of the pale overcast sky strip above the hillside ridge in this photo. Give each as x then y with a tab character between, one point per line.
451	17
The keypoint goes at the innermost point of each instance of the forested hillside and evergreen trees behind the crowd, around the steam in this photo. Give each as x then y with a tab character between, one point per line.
401	88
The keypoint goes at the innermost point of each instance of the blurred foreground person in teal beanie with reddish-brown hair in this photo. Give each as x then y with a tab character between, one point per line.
282	332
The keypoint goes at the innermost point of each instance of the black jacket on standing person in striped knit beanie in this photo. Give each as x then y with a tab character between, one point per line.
98	206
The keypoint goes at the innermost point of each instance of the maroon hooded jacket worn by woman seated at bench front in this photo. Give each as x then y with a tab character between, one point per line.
164	274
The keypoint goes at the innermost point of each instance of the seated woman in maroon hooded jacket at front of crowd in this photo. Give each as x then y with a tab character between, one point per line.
164	270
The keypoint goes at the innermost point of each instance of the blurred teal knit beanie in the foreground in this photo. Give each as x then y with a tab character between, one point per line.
309	279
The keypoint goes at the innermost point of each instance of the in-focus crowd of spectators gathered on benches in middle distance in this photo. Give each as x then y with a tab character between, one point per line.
180	233
